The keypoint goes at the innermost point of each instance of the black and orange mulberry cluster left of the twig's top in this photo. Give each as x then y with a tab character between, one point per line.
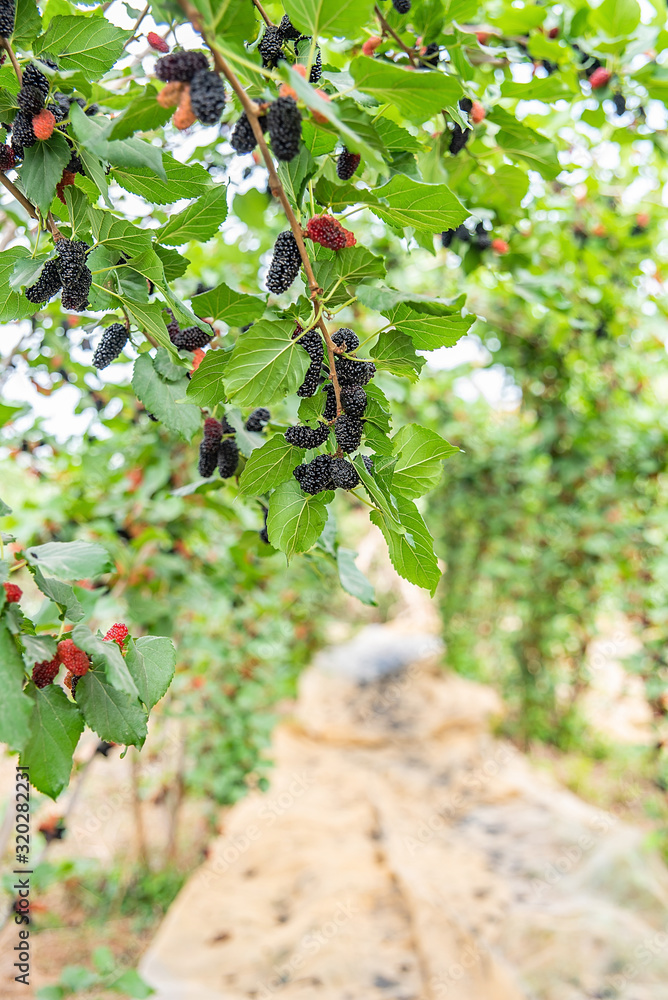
195	90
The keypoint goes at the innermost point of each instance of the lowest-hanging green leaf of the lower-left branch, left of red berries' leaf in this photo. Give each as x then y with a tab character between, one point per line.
55	728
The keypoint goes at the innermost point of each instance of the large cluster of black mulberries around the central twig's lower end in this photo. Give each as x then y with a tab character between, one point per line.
330	471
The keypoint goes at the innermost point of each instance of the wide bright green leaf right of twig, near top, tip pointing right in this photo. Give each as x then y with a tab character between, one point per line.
417	94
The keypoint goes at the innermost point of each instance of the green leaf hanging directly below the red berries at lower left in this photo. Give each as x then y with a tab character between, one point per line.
114	715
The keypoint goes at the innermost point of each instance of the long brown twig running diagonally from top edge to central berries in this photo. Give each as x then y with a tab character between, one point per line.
275	186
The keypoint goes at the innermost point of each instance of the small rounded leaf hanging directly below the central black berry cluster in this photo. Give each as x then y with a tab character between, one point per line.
295	521
